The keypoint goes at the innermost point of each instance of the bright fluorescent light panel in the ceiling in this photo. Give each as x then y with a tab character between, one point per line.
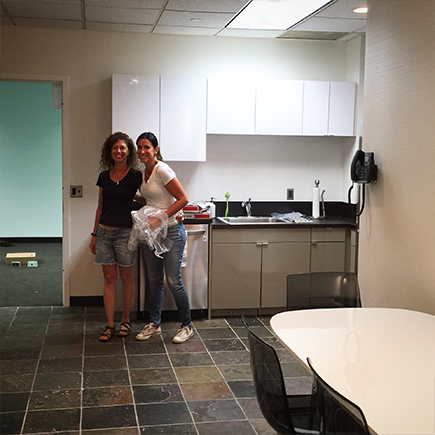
275	14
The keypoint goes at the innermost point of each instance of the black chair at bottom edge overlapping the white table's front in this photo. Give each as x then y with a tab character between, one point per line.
338	415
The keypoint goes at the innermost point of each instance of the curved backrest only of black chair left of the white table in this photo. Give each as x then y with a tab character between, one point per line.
269	384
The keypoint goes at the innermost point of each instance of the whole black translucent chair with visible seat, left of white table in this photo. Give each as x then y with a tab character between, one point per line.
287	414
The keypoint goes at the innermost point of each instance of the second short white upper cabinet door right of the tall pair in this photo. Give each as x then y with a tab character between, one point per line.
279	107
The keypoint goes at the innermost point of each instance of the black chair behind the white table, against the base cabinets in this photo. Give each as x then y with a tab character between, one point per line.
322	290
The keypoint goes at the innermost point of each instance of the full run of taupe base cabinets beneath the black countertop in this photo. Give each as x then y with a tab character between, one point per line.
249	266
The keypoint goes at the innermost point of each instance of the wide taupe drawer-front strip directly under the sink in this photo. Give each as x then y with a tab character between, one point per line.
255	235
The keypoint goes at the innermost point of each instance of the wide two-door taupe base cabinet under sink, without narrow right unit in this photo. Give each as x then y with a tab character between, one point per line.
249	266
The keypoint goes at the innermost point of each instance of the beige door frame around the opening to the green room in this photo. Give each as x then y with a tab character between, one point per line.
64	80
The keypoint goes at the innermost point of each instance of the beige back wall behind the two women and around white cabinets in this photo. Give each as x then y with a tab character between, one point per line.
85	61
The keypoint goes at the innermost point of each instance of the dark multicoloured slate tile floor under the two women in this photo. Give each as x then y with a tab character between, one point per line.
57	378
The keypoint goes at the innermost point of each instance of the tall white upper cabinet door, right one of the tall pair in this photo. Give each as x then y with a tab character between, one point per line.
183	118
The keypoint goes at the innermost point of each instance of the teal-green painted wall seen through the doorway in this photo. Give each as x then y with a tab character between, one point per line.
30	161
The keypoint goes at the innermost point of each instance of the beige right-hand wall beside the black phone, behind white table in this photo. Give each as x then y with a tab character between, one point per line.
397	244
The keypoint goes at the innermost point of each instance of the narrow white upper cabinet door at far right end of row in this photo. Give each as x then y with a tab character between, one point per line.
342	109
